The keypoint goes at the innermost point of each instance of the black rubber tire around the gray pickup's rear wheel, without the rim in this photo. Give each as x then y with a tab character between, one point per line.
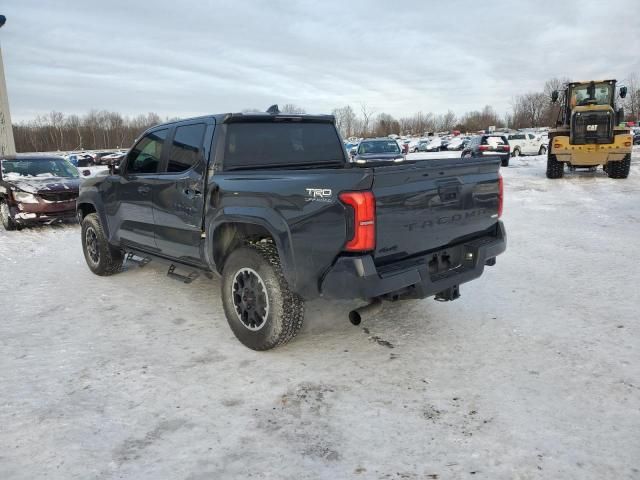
286	309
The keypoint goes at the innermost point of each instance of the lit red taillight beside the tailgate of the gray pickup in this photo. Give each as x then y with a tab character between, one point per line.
364	216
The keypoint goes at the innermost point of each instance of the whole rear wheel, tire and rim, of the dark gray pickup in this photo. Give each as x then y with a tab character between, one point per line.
262	311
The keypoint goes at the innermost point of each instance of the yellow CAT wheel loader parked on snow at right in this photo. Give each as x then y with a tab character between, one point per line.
588	131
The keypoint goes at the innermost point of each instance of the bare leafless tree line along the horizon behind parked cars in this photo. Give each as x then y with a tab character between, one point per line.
102	129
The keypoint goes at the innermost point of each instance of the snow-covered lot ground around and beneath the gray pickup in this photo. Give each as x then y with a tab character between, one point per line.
533	373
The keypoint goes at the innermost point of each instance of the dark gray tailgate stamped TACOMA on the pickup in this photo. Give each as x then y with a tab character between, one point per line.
430	204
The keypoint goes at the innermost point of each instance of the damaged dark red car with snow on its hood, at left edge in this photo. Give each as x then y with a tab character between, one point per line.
37	189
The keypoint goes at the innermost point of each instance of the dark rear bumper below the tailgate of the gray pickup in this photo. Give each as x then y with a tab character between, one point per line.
358	277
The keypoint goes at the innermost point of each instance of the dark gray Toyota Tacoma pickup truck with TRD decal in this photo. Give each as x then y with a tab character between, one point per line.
272	203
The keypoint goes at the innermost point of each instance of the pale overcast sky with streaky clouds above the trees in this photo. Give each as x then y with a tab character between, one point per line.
188	57
